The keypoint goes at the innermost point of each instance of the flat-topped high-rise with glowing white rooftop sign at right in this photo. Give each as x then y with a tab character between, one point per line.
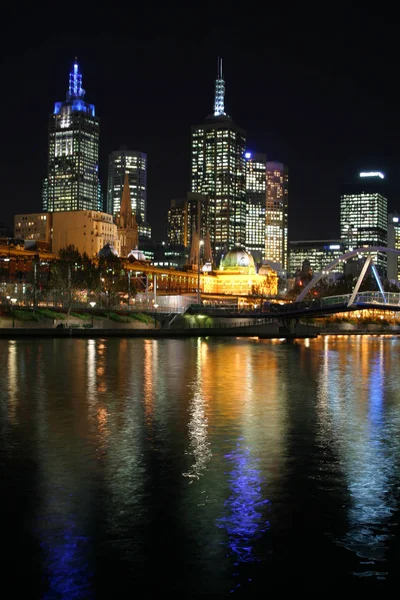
363	215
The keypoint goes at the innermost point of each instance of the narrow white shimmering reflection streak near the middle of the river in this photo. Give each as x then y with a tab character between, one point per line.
199	444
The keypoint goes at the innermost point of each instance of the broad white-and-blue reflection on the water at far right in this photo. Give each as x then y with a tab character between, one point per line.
352	403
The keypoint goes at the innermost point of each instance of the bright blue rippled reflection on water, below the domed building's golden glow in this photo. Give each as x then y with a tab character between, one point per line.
243	520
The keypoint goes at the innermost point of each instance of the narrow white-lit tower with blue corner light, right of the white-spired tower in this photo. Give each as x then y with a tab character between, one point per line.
255	201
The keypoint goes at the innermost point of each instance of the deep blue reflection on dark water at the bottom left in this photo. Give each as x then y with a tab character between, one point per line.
67	567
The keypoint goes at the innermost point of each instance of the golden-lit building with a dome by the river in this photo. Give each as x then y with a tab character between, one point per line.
237	276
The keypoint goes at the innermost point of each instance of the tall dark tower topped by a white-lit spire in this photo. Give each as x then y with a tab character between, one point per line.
218	171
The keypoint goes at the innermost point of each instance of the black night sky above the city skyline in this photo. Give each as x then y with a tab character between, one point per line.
314	88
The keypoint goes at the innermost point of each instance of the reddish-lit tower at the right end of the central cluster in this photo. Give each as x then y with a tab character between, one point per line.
276	214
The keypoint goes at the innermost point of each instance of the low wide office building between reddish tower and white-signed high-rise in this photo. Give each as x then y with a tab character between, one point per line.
319	253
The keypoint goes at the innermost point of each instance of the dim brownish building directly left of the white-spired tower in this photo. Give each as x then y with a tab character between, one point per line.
186	215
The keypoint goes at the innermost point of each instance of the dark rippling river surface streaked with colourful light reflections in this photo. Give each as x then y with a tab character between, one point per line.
143	456
